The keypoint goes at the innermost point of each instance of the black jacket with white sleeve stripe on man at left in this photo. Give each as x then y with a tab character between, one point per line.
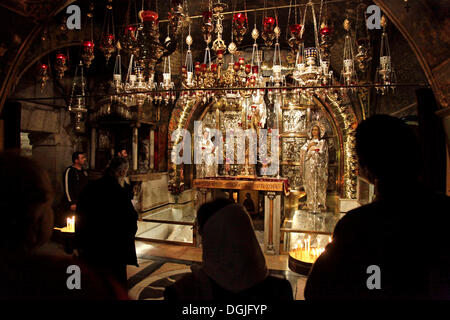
74	182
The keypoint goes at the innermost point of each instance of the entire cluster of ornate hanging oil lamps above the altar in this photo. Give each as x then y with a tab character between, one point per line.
140	41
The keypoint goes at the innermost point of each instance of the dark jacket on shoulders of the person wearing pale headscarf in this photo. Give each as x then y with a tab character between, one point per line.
197	286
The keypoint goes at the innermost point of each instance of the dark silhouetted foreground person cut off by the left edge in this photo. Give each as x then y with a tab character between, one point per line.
30	267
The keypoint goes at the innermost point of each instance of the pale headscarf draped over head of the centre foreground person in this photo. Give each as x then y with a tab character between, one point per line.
232	256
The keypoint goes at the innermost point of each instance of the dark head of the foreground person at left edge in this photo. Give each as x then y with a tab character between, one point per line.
26	205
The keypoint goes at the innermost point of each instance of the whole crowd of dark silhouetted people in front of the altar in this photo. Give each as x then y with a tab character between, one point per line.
233	267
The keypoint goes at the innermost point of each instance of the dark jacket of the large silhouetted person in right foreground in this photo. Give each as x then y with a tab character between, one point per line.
405	235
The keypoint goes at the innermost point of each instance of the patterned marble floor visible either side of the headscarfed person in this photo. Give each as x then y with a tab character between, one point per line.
160	265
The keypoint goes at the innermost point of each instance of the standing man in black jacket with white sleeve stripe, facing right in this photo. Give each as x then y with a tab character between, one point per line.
75	179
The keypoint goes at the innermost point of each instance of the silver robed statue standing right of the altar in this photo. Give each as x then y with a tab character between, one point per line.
314	159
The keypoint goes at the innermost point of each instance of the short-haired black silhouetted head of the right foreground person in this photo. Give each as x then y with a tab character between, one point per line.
388	152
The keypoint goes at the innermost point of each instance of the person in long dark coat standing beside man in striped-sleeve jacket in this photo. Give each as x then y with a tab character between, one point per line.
107	223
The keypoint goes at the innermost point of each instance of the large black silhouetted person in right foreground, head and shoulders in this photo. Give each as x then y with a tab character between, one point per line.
404	231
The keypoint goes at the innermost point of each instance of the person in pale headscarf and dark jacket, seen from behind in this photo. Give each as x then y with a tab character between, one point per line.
233	267
